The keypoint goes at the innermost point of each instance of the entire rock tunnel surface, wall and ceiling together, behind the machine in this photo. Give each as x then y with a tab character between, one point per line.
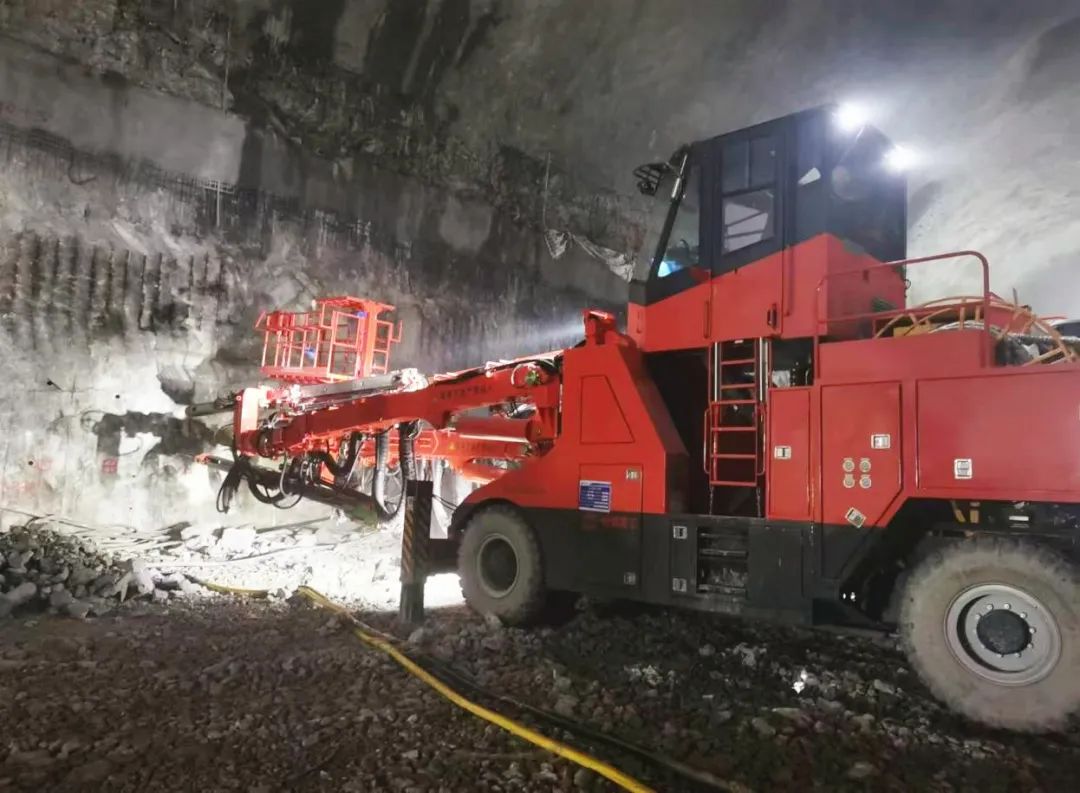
171	168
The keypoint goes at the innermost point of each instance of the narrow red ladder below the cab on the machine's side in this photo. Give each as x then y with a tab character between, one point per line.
735	416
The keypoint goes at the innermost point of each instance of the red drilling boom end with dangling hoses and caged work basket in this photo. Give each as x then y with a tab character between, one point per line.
336	358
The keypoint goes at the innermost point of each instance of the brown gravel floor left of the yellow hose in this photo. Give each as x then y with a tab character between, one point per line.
237	697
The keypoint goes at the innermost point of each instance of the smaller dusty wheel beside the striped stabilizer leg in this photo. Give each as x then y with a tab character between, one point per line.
501	567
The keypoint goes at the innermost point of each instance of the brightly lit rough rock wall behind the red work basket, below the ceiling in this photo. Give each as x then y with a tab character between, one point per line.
143	233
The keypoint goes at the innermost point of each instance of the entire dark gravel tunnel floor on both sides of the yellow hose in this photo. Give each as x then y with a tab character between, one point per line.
227	695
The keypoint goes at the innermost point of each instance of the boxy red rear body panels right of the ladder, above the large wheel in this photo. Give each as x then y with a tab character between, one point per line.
1019	429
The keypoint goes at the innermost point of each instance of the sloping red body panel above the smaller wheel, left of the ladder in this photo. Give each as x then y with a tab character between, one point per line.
618	433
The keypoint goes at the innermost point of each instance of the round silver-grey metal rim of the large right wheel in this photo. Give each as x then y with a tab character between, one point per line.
1004	635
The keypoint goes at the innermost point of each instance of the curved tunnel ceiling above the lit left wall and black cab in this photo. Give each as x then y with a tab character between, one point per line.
498	99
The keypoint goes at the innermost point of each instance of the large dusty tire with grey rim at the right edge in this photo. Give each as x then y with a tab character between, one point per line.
993	627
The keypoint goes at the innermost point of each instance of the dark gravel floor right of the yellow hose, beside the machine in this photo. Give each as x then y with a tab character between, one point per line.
765	707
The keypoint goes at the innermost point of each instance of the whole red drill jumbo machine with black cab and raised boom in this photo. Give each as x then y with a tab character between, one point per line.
778	434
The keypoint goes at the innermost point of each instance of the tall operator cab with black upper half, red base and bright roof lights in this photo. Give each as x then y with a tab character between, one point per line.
742	199
